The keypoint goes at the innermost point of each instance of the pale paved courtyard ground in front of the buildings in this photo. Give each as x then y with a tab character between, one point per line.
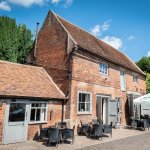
119	141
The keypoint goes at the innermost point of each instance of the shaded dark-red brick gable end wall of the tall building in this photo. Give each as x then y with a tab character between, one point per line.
52	51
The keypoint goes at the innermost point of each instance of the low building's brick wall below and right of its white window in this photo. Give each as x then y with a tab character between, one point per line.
56	107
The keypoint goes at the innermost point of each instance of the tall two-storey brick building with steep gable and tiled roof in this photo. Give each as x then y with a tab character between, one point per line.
95	77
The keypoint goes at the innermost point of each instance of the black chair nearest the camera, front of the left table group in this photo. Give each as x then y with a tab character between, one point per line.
53	136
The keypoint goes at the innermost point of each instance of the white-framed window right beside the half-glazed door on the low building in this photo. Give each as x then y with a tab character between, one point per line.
38	112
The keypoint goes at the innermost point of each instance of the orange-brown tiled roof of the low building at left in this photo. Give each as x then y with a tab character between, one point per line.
27	81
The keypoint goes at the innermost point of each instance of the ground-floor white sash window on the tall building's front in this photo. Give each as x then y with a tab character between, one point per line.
84	102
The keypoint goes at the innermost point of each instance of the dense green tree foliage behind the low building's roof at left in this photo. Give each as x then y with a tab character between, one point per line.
15	40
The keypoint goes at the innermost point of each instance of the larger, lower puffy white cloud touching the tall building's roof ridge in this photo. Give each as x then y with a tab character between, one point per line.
113	41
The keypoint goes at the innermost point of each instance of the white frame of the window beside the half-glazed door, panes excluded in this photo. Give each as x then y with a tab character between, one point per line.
36	122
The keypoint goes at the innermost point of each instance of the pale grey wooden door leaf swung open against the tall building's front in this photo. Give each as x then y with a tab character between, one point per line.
112	111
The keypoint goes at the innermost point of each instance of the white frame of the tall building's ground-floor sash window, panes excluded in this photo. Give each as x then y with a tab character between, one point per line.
84	112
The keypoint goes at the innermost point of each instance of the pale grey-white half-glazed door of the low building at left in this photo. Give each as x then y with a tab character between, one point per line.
16	122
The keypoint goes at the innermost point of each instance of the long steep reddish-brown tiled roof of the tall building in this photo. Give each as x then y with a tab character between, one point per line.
90	43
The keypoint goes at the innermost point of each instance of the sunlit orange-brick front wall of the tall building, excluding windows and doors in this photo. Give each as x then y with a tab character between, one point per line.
86	77
